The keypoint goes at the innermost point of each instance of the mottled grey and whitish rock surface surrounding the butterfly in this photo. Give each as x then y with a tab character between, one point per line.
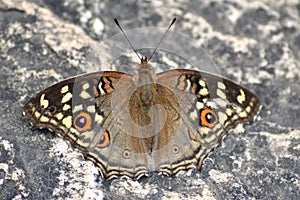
255	43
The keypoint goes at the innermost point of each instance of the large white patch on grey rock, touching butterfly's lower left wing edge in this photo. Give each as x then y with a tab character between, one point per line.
81	175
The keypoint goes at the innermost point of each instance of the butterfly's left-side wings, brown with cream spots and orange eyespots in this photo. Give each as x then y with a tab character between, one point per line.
86	111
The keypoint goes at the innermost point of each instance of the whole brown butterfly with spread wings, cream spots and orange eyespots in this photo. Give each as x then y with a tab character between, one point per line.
131	125
